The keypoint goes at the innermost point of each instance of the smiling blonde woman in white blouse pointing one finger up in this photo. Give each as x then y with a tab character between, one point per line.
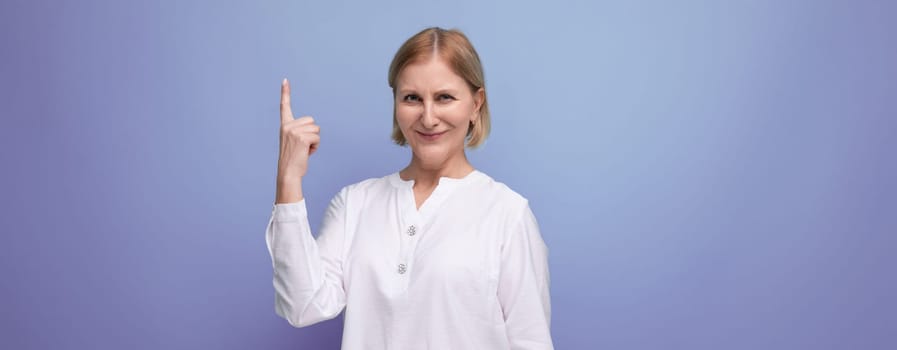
435	256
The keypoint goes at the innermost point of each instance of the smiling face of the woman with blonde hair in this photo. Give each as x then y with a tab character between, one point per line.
434	108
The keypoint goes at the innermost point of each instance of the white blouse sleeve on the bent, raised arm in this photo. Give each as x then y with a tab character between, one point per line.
308	272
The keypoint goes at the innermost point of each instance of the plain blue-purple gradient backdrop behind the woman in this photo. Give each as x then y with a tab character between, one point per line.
707	174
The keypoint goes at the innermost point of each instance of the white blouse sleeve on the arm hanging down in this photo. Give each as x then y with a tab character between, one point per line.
523	288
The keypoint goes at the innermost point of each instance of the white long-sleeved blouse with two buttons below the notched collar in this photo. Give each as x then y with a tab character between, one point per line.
468	270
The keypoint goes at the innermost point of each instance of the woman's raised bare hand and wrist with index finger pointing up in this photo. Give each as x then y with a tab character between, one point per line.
299	138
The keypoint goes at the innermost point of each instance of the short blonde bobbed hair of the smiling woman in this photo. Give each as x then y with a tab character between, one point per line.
453	47
